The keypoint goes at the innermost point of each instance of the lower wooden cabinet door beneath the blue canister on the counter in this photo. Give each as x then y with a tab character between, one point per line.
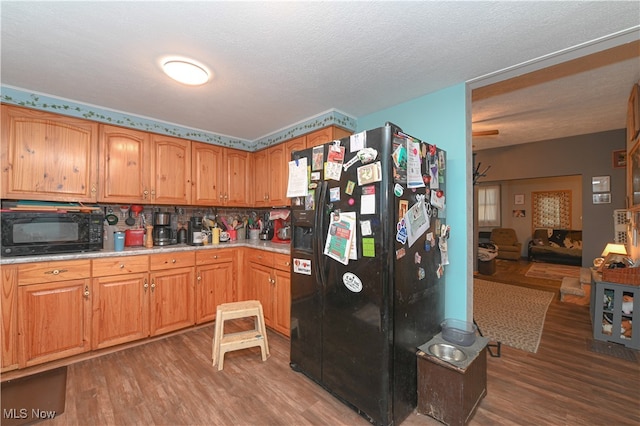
120	309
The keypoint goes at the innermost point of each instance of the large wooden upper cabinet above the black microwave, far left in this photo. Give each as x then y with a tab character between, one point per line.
48	156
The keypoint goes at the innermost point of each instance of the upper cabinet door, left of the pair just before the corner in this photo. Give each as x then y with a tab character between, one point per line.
208	174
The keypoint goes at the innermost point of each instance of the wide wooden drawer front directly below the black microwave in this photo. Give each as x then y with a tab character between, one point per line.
45	272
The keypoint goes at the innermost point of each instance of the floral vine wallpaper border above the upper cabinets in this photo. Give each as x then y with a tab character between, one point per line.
10	95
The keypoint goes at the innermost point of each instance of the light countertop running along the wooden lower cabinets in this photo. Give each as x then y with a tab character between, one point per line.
134	251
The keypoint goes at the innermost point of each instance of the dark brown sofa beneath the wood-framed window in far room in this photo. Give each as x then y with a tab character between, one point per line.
562	246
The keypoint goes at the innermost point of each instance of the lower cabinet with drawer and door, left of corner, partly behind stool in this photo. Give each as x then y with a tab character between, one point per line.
215	282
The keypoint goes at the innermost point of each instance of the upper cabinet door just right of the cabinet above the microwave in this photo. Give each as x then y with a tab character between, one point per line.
124	165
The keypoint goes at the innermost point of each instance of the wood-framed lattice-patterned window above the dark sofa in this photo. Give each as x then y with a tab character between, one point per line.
551	209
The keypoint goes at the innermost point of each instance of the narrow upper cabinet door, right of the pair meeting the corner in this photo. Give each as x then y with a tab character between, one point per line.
239	178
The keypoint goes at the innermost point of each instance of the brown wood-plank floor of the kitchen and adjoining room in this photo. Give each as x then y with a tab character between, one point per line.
171	381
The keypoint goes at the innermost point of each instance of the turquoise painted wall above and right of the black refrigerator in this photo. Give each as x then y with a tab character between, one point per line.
440	118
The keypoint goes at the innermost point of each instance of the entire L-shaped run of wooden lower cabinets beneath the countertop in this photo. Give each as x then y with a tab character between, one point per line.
53	310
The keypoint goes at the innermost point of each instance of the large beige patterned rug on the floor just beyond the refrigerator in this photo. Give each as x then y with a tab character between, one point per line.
510	314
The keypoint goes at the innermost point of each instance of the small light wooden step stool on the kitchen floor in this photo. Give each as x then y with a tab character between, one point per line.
223	343
